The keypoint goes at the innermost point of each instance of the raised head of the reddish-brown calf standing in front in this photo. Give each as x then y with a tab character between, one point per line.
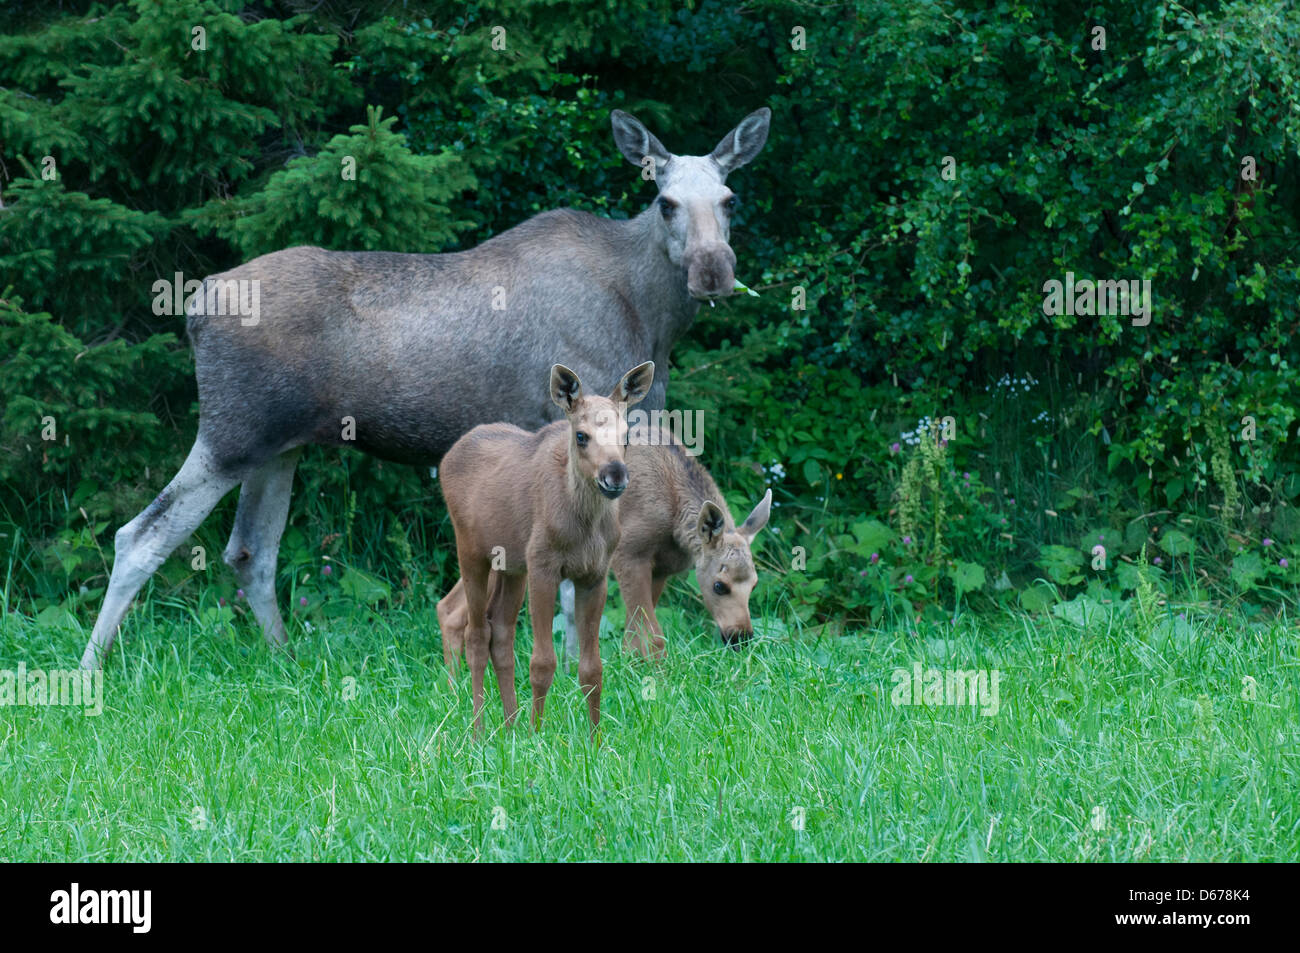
599	426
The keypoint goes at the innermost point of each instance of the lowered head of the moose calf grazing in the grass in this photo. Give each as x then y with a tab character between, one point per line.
726	569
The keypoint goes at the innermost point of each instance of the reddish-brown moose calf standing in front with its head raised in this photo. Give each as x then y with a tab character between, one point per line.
540	508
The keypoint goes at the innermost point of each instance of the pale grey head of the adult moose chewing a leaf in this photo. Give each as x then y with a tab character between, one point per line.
695	206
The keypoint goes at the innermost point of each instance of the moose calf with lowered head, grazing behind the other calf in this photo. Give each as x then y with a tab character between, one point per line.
671	518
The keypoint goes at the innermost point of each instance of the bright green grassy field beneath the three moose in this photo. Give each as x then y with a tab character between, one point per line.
1108	746
